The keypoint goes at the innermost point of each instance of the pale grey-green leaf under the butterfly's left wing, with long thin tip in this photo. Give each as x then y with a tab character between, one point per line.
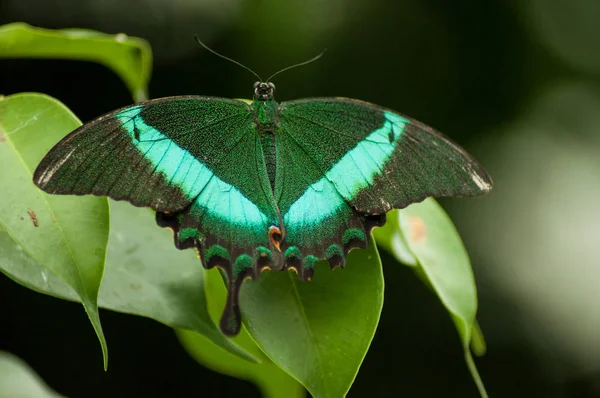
146	275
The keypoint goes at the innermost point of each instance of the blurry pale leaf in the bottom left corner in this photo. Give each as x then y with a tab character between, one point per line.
17	379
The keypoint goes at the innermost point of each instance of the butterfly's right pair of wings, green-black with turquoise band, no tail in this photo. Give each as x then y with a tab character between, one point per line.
342	164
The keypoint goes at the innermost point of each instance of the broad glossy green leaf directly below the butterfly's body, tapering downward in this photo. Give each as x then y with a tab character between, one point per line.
318	331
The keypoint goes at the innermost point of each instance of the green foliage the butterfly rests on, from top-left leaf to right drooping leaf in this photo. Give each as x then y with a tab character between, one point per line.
315	334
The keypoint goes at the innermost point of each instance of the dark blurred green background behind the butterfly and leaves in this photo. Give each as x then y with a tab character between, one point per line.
517	83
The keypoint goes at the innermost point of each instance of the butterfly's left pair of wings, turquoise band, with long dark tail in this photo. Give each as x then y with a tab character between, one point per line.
197	161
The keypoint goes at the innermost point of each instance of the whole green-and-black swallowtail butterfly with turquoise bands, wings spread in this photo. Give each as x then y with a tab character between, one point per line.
261	185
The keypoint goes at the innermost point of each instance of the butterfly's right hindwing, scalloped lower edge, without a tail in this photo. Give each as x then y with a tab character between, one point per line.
315	215
